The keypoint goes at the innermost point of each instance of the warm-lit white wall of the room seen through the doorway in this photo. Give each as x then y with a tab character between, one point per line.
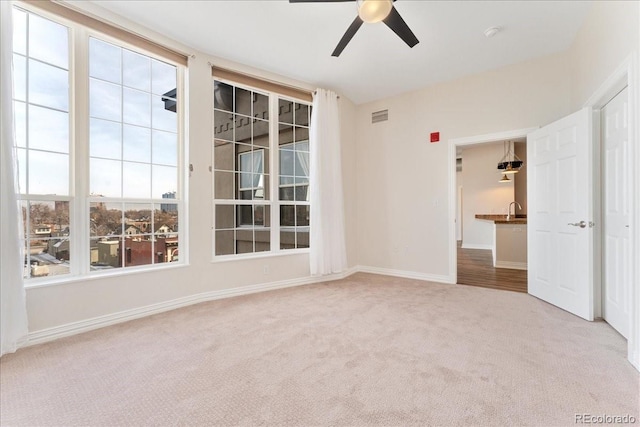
483	194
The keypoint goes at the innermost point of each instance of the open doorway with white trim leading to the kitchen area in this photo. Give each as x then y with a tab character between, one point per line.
489	254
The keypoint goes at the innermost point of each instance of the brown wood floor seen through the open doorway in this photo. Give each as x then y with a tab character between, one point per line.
475	268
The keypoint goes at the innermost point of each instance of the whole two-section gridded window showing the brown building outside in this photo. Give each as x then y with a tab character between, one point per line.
259	135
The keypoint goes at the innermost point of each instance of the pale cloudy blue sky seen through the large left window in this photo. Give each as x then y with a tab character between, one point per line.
133	143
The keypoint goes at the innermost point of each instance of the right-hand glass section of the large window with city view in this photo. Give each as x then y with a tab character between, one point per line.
133	156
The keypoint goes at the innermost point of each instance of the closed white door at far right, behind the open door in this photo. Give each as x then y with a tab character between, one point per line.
616	192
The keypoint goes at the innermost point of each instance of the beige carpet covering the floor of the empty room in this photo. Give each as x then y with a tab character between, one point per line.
367	350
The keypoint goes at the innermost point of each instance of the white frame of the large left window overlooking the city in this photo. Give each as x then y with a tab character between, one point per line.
79	198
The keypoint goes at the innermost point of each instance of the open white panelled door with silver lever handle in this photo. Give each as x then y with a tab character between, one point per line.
560	200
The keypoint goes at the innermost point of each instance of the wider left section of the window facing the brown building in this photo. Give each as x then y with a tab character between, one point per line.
241	170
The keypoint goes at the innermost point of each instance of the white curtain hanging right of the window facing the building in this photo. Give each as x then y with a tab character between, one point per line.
327	239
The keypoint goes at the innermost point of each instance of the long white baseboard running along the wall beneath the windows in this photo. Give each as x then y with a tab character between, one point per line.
56	332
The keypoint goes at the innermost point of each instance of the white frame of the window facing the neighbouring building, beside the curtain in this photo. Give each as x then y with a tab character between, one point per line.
274	201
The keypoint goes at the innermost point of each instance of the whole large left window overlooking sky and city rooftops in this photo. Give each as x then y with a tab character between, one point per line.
99	185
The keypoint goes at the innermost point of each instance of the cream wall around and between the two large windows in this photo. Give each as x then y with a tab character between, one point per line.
52	306
